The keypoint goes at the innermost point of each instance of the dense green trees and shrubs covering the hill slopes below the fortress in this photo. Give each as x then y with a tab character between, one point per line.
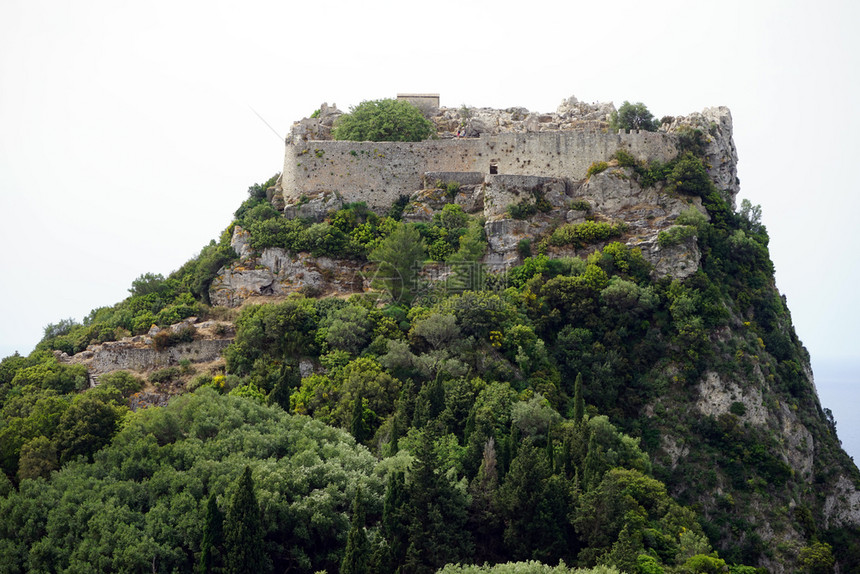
514	420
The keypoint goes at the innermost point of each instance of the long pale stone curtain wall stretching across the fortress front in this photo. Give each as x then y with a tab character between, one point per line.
377	173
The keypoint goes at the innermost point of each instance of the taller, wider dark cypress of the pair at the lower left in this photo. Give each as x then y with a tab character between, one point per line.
243	529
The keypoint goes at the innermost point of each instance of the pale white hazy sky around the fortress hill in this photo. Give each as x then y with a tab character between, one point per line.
128	132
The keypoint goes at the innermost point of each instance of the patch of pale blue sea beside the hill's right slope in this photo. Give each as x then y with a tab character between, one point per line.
838	383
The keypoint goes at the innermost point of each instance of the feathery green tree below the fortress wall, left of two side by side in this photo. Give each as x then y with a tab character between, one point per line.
400	256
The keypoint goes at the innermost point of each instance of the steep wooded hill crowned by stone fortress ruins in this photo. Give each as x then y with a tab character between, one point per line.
529	337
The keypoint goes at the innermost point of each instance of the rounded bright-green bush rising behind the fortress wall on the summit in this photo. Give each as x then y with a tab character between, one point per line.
383	120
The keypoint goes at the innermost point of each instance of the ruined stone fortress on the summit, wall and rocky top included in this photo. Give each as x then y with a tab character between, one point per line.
511	142
